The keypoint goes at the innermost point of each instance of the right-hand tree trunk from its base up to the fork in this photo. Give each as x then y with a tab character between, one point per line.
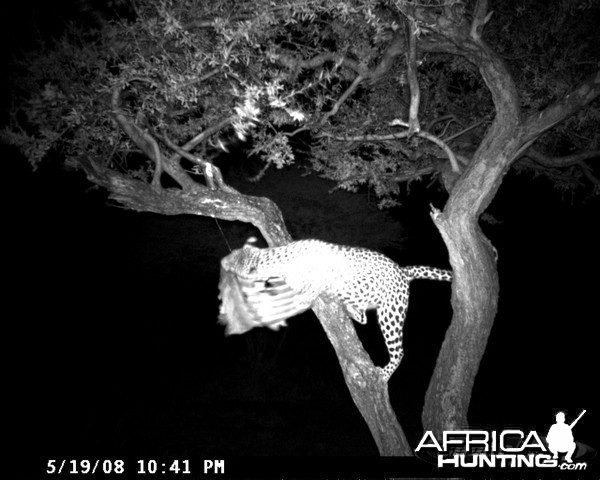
476	288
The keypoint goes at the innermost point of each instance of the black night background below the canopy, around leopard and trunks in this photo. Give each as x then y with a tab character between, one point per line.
114	347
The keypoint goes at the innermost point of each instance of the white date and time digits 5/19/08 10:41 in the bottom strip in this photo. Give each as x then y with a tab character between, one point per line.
116	467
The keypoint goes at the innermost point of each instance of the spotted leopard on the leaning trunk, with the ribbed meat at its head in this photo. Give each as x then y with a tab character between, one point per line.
263	287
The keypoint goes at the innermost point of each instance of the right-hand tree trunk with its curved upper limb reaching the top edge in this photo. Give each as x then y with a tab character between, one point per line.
475	286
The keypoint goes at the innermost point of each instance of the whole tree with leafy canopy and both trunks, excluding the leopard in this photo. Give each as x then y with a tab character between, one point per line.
381	93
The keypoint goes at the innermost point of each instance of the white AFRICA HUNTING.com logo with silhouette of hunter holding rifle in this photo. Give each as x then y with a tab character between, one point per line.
509	448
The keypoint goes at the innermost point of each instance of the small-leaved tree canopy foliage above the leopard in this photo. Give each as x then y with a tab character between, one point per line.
267	71
